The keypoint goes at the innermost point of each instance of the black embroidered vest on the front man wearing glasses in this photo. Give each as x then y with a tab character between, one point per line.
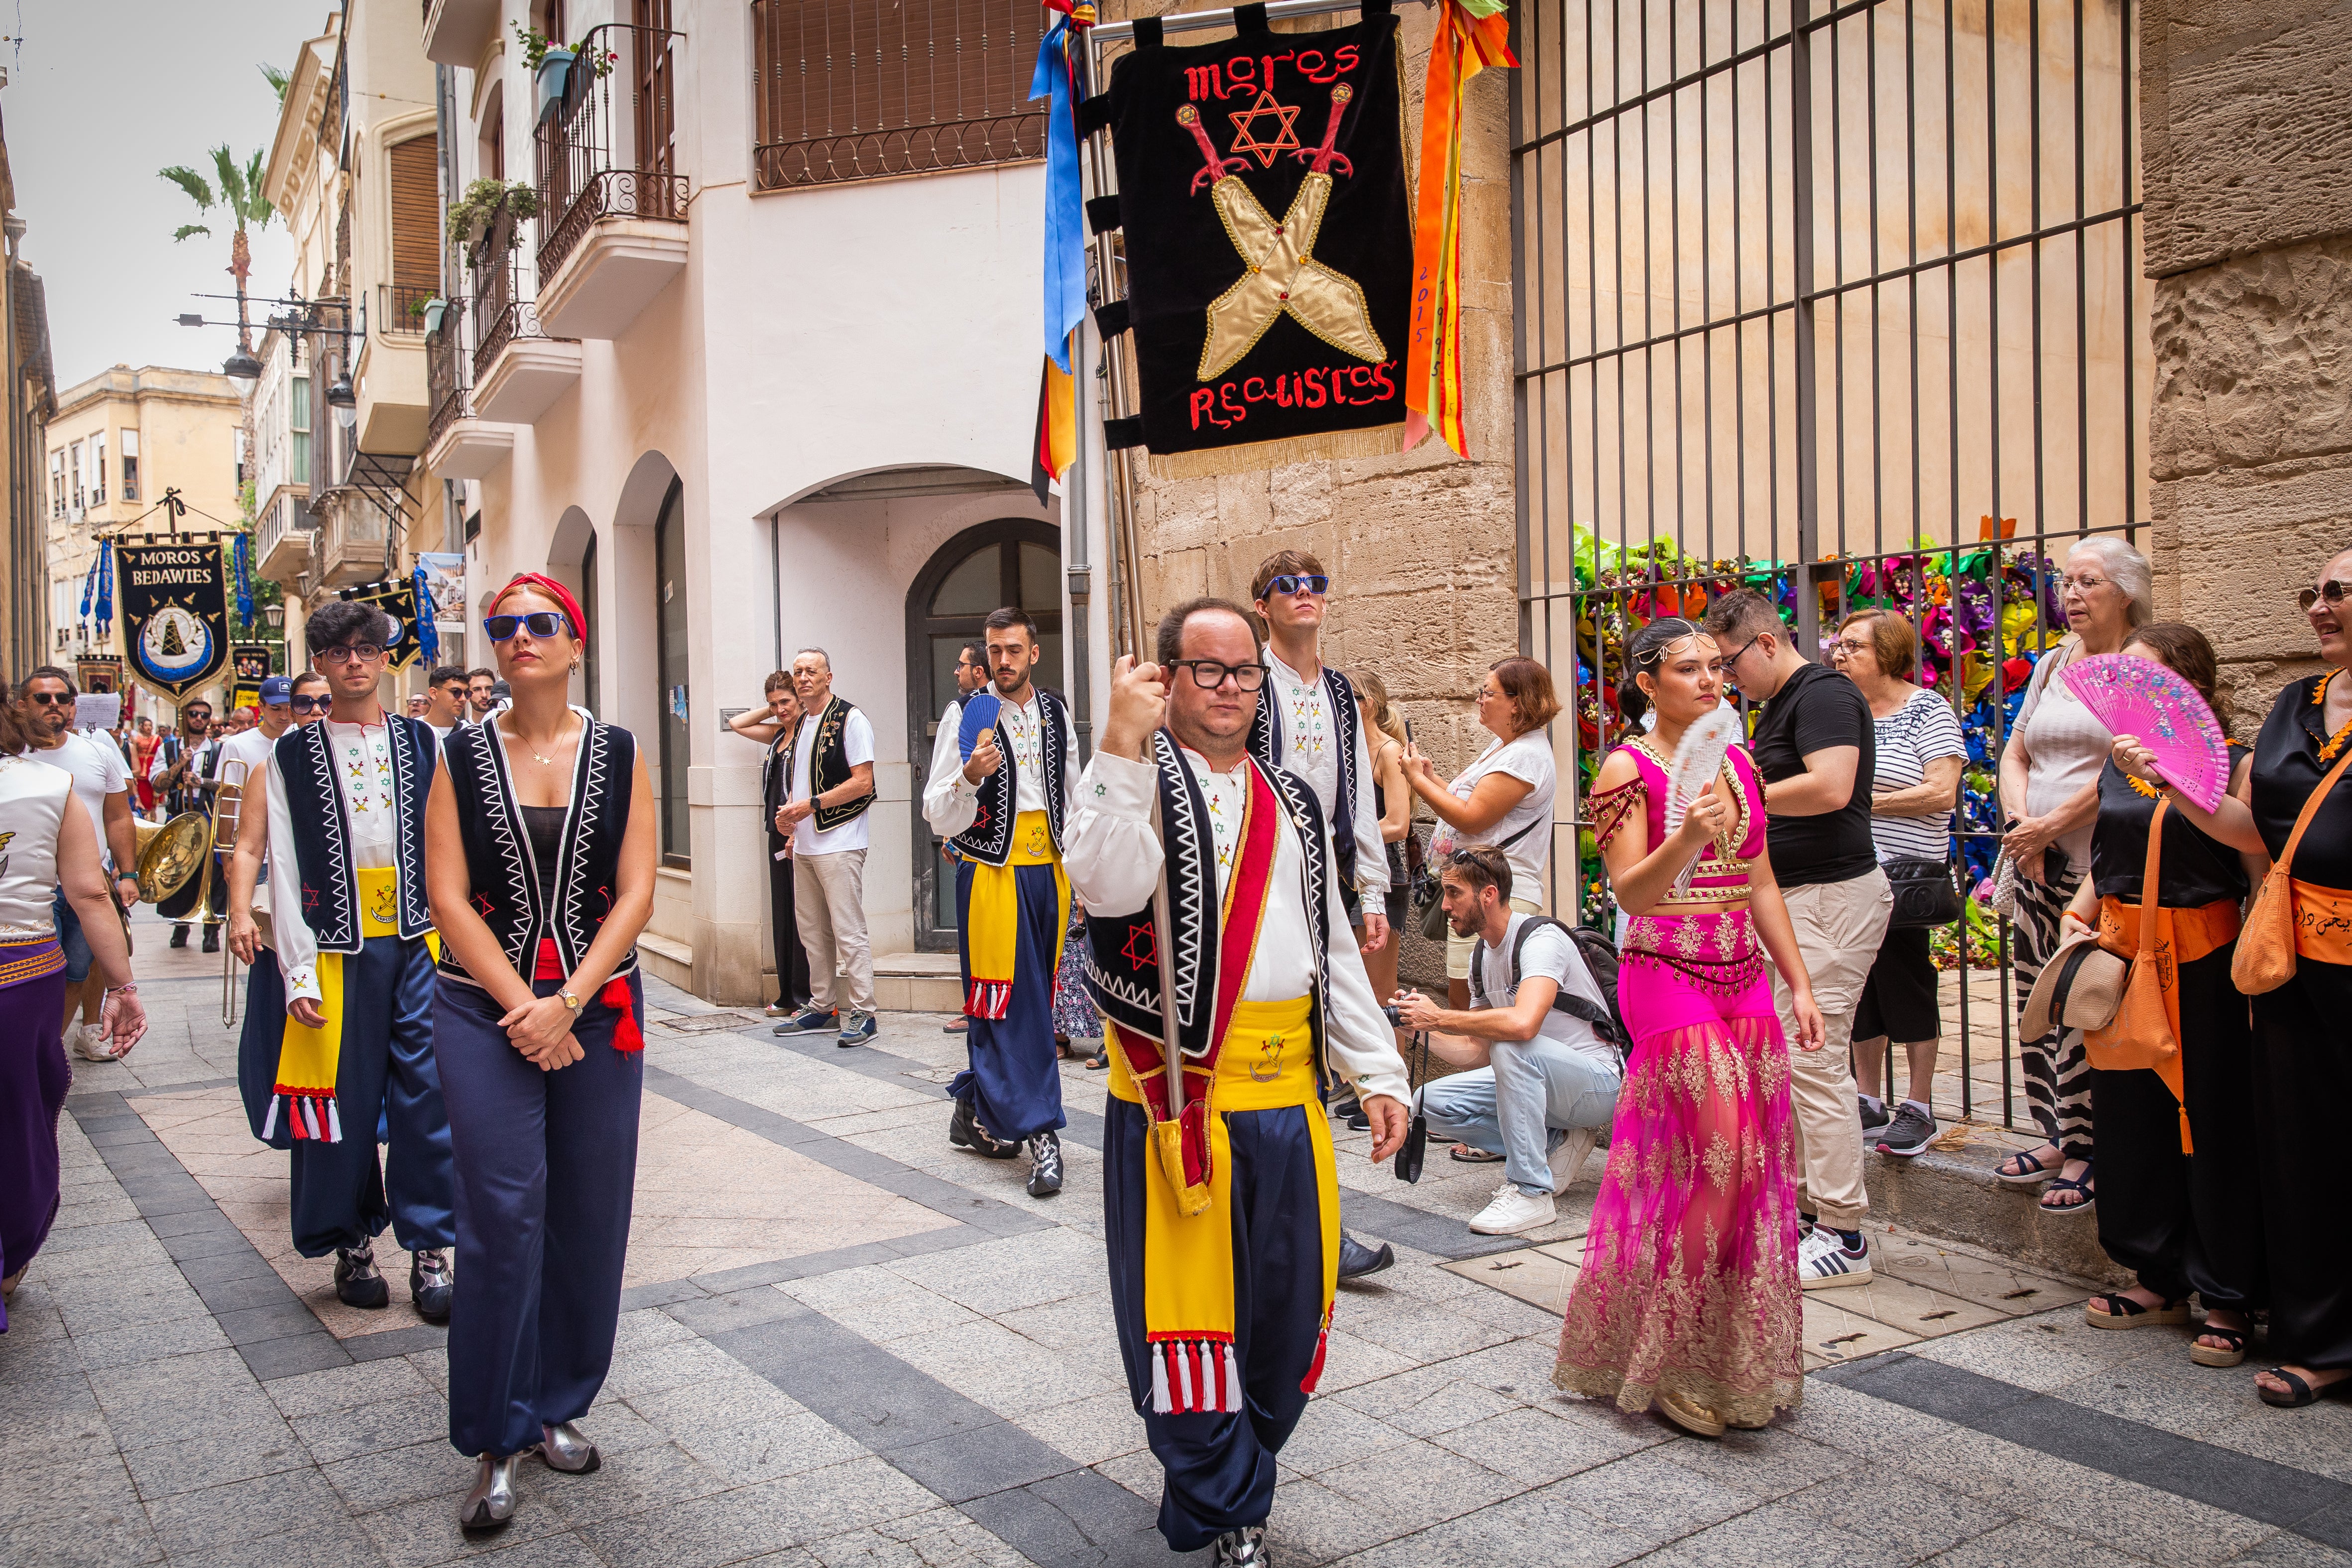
1123	970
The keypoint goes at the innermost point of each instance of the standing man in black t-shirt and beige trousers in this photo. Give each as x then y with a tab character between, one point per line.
1817	749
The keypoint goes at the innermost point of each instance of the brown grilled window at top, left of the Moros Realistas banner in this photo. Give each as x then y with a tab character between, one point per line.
867	91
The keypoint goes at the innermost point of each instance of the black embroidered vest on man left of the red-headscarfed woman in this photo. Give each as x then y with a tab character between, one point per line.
323	871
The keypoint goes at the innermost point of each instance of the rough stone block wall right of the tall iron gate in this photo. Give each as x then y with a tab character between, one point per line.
2250	246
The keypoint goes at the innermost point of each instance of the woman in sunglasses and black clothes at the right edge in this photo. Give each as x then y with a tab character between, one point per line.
2301	1066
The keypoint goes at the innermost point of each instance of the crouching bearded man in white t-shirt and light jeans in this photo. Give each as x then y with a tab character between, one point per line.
1544	1080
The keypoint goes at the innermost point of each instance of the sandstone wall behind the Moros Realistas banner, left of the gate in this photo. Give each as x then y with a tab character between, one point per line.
1422	547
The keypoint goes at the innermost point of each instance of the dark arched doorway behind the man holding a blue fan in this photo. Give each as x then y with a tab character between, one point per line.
984	568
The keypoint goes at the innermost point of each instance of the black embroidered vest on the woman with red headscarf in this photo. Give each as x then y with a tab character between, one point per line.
500	857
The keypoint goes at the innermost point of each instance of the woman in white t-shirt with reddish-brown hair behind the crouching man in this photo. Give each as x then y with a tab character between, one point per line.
1504	798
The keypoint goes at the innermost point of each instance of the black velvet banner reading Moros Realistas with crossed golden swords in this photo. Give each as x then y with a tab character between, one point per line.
1269	248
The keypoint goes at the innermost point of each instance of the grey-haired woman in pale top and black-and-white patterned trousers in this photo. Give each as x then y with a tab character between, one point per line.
2050	805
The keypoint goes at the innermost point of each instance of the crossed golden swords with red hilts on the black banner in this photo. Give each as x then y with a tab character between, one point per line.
1281	274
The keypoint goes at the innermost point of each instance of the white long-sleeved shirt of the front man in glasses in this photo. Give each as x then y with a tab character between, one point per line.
1114	862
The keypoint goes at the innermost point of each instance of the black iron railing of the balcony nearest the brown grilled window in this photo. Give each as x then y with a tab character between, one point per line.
608	149
